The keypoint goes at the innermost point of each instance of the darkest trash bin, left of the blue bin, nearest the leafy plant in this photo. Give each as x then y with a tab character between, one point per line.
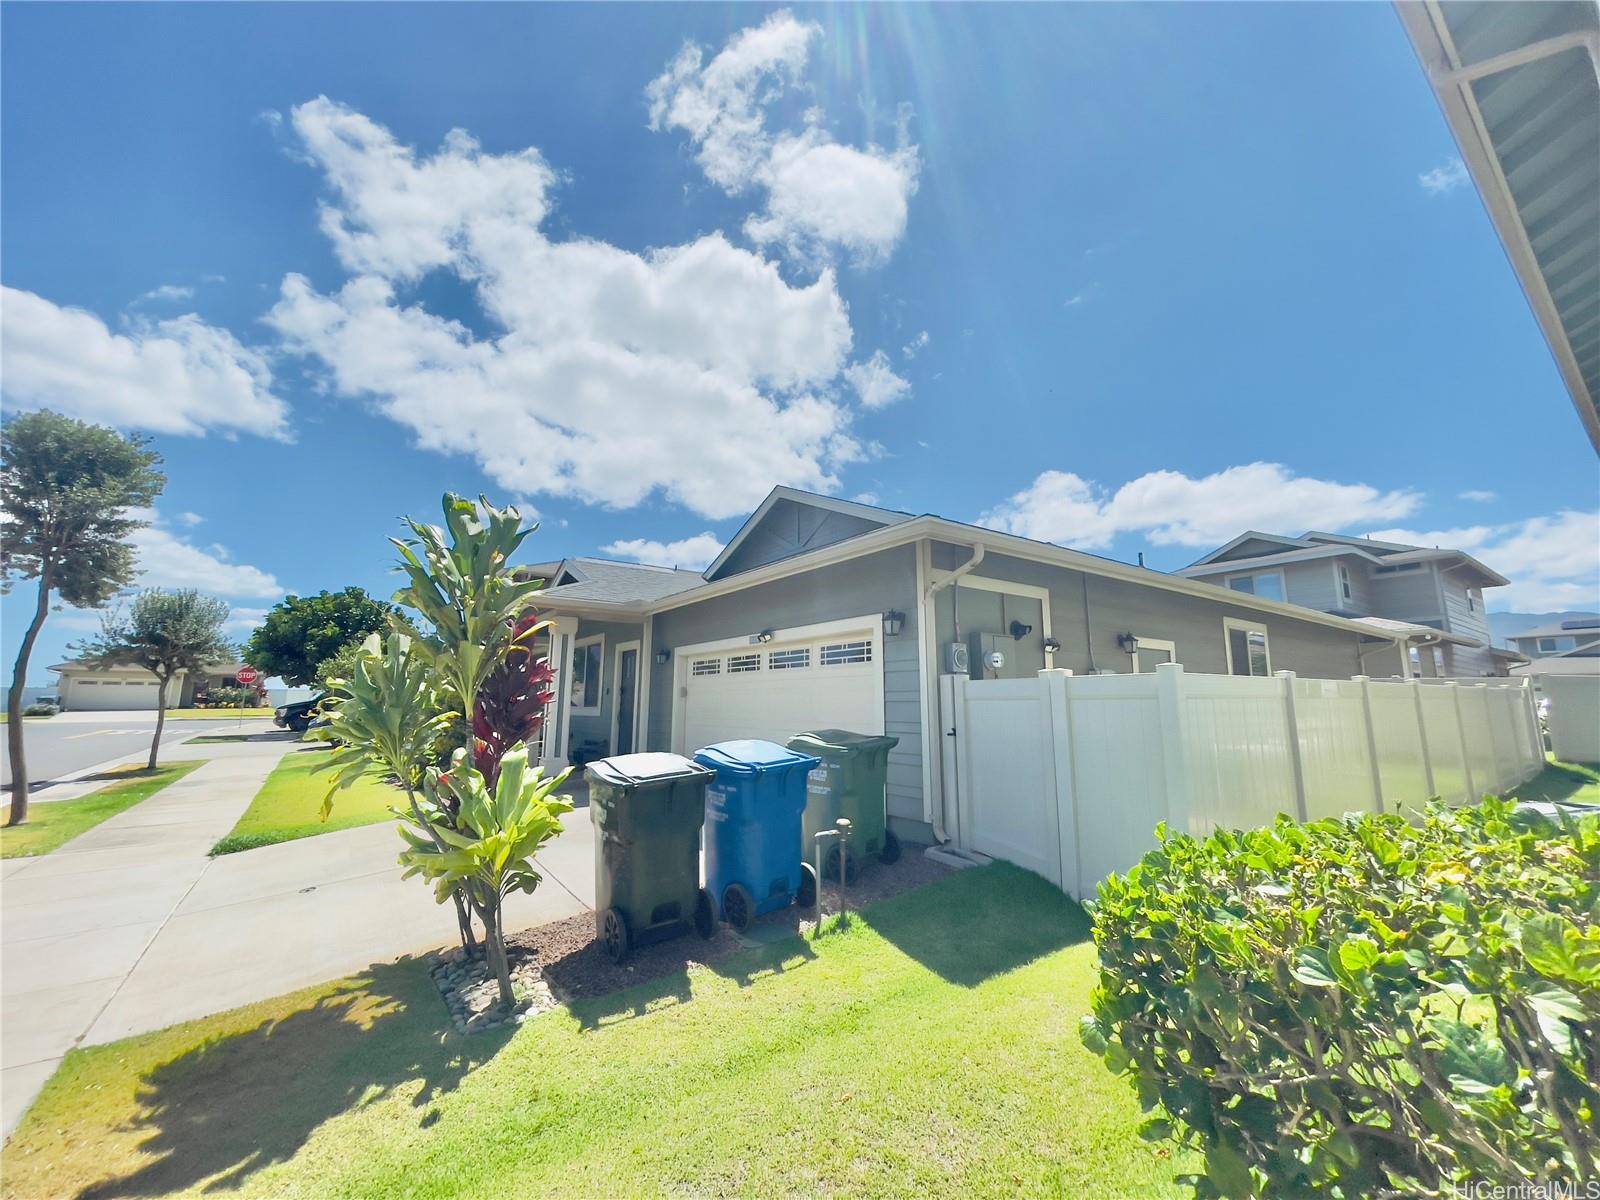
647	812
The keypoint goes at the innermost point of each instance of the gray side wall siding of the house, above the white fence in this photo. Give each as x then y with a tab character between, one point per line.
1194	625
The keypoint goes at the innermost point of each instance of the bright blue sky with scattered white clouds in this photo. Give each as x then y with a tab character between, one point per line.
1127	278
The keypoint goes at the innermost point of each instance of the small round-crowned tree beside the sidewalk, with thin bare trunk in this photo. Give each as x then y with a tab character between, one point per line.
166	633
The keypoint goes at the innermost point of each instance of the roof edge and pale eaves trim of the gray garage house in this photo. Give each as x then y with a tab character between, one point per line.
682	588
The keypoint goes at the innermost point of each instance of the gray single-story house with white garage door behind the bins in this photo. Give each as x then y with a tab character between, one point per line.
826	614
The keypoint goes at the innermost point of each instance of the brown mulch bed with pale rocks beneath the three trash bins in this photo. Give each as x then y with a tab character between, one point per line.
574	966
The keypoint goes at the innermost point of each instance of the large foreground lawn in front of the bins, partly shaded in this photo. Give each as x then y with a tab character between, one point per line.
926	1049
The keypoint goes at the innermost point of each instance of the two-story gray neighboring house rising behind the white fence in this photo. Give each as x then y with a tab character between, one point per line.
1428	601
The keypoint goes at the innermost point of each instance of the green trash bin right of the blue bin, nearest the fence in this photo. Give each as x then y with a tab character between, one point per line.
849	783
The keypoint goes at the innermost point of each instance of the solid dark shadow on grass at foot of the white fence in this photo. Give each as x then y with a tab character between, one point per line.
980	922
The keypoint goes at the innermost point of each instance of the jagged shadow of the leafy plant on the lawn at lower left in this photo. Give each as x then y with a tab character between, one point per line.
244	1102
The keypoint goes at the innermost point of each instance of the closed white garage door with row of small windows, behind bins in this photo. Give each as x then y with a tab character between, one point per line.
783	689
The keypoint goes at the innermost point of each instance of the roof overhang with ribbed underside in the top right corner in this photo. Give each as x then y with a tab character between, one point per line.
1521	89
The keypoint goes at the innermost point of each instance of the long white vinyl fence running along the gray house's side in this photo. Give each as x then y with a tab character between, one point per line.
1070	775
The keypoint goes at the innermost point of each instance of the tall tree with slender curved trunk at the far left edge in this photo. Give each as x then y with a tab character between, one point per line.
70	500
